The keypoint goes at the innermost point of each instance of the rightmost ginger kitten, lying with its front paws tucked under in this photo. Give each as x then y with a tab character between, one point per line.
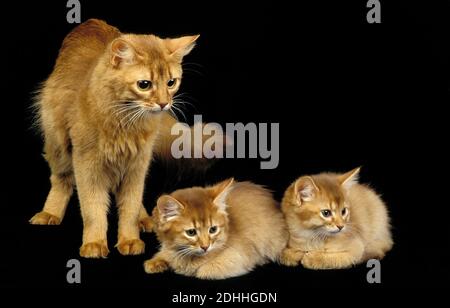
334	222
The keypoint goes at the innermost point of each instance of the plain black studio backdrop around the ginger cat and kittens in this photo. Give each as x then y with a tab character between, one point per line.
346	93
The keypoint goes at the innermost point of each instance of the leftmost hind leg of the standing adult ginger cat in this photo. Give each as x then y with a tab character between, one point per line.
62	182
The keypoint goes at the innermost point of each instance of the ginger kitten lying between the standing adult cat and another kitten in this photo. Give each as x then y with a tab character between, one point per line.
217	232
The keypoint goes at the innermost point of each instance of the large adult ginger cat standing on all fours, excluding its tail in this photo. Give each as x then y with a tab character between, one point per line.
101	113
